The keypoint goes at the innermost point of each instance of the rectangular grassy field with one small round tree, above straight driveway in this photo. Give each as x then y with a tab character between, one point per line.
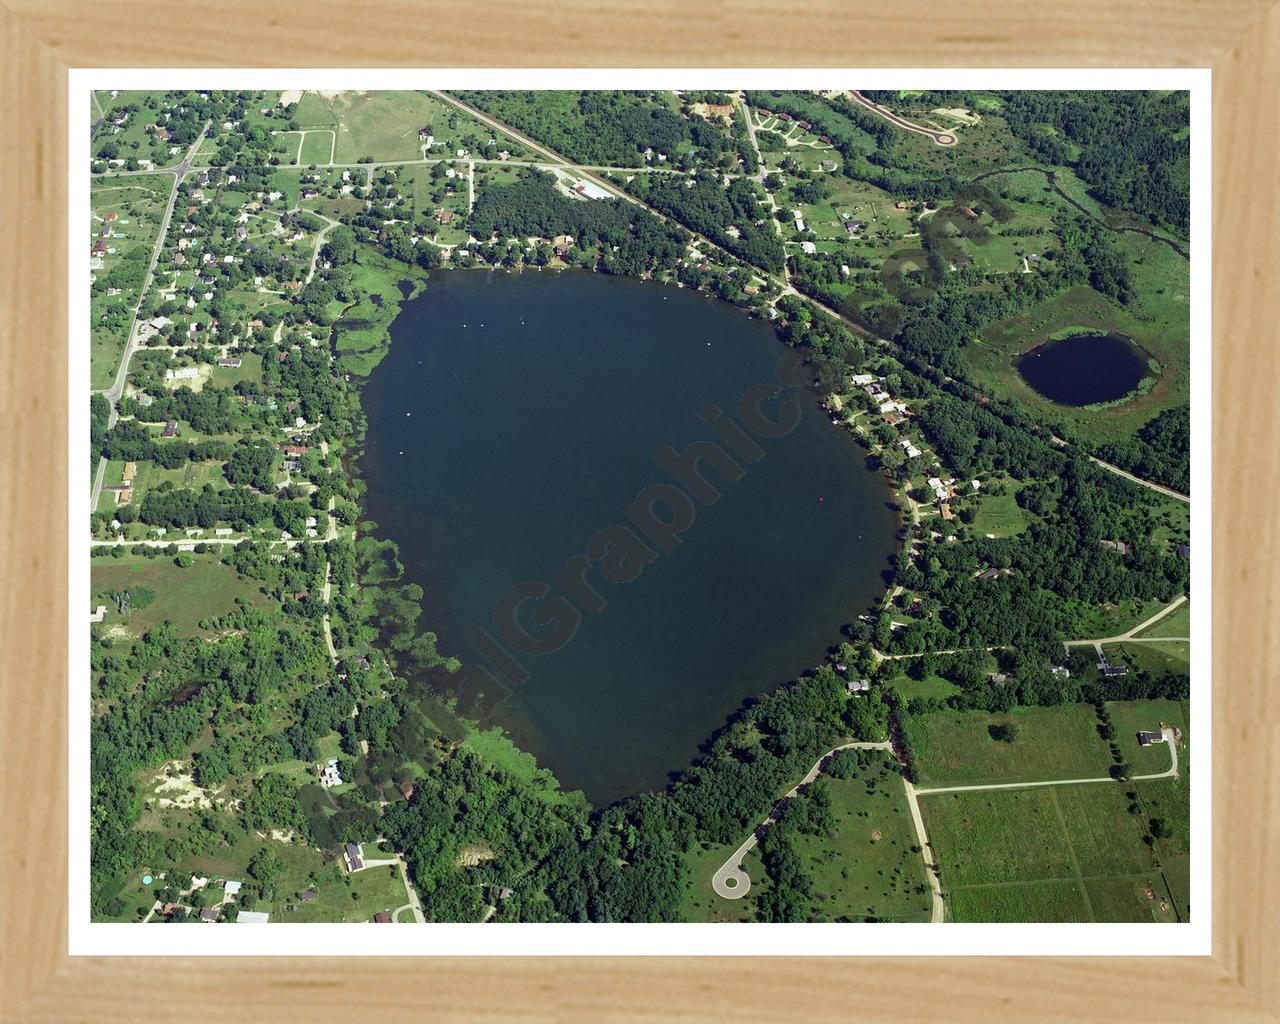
957	748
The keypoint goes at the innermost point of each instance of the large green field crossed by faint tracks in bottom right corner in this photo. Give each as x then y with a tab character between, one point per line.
1054	854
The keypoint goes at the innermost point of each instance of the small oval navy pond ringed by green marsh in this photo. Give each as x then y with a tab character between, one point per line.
1085	369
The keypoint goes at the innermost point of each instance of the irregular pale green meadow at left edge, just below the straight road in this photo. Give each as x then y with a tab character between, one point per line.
184	596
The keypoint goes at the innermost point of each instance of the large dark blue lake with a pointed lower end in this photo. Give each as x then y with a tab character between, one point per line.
518	417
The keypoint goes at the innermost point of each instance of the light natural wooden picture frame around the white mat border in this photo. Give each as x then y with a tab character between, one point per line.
1240	39
